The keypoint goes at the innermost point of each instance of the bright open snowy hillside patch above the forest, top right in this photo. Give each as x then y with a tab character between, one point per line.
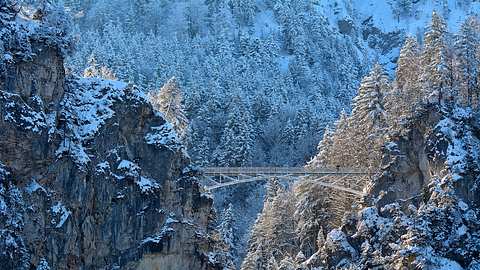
391	19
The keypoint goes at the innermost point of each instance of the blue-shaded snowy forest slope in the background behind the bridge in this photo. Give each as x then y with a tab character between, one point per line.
260	77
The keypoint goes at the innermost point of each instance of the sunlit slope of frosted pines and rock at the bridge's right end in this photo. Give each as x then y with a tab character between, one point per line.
419	136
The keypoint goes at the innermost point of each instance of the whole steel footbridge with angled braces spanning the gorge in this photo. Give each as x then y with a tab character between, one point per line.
220	177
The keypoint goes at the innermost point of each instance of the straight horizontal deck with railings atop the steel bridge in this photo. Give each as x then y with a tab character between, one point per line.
272	171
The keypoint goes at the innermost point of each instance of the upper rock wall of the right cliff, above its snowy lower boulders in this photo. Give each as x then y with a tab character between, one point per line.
435	143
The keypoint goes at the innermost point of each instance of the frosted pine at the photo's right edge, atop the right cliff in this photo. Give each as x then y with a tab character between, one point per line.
467	48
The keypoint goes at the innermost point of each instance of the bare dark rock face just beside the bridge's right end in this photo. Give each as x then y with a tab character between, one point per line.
407	168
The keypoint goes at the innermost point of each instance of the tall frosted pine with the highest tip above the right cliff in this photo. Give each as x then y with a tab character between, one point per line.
436	77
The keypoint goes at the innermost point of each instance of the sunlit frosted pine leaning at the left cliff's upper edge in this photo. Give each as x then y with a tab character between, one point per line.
169	101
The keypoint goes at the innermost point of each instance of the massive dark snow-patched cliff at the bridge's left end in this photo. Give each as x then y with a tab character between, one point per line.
91	177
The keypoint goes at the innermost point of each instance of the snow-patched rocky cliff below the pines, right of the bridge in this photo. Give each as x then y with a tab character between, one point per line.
423	207
